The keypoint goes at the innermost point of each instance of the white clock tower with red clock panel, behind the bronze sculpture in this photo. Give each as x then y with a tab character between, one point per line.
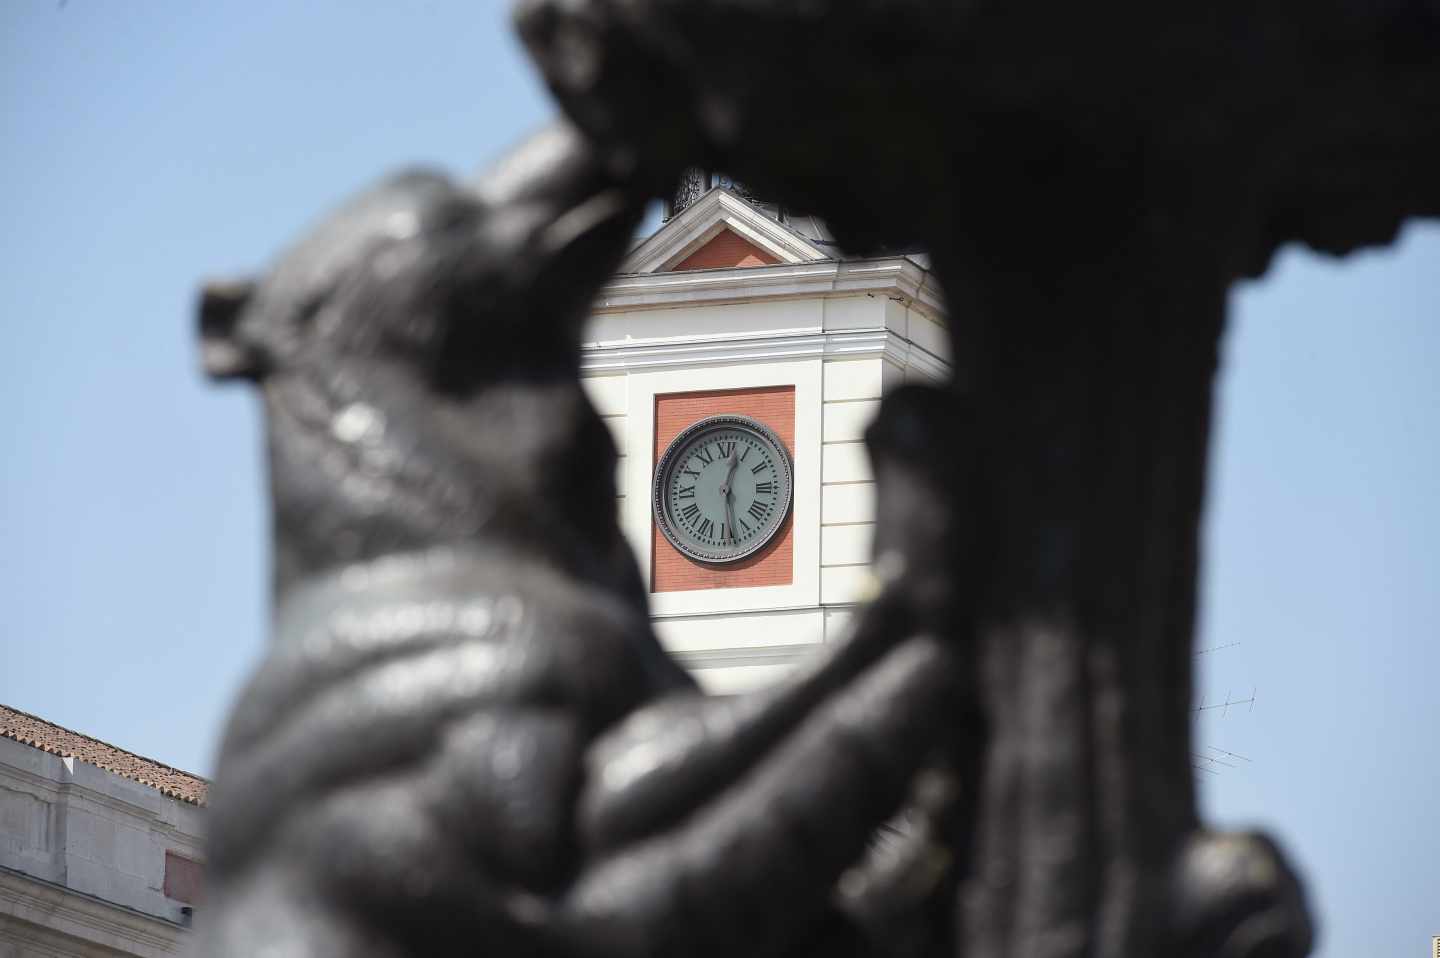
738	359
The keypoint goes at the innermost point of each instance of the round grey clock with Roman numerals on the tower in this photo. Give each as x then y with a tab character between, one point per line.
724	488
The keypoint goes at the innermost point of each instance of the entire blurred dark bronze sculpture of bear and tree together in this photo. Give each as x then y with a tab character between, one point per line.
467	738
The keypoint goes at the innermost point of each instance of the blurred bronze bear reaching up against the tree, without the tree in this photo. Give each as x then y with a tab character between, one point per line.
466	734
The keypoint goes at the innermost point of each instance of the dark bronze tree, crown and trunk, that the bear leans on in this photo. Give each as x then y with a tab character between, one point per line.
1091	182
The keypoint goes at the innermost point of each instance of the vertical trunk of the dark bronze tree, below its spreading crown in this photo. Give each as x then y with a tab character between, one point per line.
1092	426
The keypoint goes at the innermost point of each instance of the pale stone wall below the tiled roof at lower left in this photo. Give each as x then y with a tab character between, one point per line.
83	859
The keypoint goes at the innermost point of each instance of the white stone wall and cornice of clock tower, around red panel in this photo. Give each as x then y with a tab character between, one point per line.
843	352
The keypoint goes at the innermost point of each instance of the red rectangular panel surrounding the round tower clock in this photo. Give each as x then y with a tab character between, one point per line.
775	564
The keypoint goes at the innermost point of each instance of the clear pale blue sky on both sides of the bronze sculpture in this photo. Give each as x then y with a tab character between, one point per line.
150	145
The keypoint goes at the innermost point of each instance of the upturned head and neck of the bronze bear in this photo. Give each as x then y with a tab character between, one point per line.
418	355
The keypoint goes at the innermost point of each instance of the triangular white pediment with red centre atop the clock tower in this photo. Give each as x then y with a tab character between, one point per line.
718	231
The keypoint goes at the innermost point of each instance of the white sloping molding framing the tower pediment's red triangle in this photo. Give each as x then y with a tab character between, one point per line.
703	220
